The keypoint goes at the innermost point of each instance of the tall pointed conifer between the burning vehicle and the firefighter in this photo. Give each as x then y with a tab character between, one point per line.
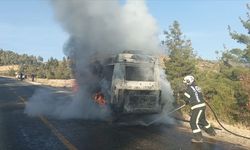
182	58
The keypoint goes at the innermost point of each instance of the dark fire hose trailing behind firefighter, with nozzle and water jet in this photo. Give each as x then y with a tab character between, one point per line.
213	114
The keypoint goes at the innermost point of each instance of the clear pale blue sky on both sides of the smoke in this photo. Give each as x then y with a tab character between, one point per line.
29	26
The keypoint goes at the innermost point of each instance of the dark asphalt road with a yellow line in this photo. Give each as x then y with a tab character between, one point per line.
18	131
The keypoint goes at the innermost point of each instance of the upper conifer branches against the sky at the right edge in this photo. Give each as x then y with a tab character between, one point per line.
244	54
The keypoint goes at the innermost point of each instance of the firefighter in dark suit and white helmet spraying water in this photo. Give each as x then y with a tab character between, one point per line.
194	97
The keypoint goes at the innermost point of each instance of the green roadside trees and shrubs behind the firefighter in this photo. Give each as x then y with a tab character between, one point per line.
225	83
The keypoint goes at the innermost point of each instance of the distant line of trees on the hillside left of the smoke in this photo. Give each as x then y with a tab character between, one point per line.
29	64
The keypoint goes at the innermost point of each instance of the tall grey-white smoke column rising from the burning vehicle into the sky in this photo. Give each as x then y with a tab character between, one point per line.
97	29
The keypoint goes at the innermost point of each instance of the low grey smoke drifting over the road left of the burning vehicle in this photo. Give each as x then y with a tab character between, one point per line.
63	106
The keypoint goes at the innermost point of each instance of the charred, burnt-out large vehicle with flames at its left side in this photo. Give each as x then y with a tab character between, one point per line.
130	84
